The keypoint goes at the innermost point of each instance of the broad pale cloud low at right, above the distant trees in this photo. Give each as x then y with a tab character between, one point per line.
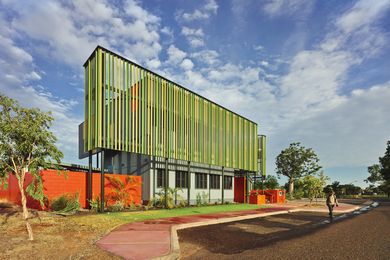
351	134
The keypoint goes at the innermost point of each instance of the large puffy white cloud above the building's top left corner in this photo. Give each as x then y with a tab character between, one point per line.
70	31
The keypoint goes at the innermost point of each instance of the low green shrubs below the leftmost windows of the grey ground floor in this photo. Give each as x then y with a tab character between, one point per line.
168	200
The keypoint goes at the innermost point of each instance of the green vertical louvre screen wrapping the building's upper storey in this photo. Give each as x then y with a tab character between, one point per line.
131	109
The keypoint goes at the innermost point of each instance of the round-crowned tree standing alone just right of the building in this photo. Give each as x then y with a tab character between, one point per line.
295	162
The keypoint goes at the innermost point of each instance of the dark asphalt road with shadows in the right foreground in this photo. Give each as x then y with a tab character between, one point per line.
296	235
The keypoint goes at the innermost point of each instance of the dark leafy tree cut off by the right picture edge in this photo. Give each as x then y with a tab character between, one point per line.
380	173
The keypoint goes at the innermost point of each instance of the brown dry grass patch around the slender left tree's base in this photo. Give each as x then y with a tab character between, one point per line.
56	237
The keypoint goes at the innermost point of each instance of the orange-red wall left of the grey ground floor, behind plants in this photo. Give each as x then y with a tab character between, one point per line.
67	182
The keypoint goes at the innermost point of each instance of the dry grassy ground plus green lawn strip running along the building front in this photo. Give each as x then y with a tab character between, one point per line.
74	237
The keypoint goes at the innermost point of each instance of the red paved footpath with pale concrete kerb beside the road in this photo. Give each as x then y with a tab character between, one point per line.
158	238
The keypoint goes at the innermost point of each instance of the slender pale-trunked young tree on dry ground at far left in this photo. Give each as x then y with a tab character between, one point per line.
26	146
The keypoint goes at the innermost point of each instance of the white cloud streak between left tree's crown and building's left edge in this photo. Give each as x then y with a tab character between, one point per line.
17	69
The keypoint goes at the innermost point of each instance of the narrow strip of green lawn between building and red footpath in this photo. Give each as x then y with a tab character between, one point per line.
112	219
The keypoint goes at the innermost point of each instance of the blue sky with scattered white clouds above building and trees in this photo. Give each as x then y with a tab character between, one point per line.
317	72
